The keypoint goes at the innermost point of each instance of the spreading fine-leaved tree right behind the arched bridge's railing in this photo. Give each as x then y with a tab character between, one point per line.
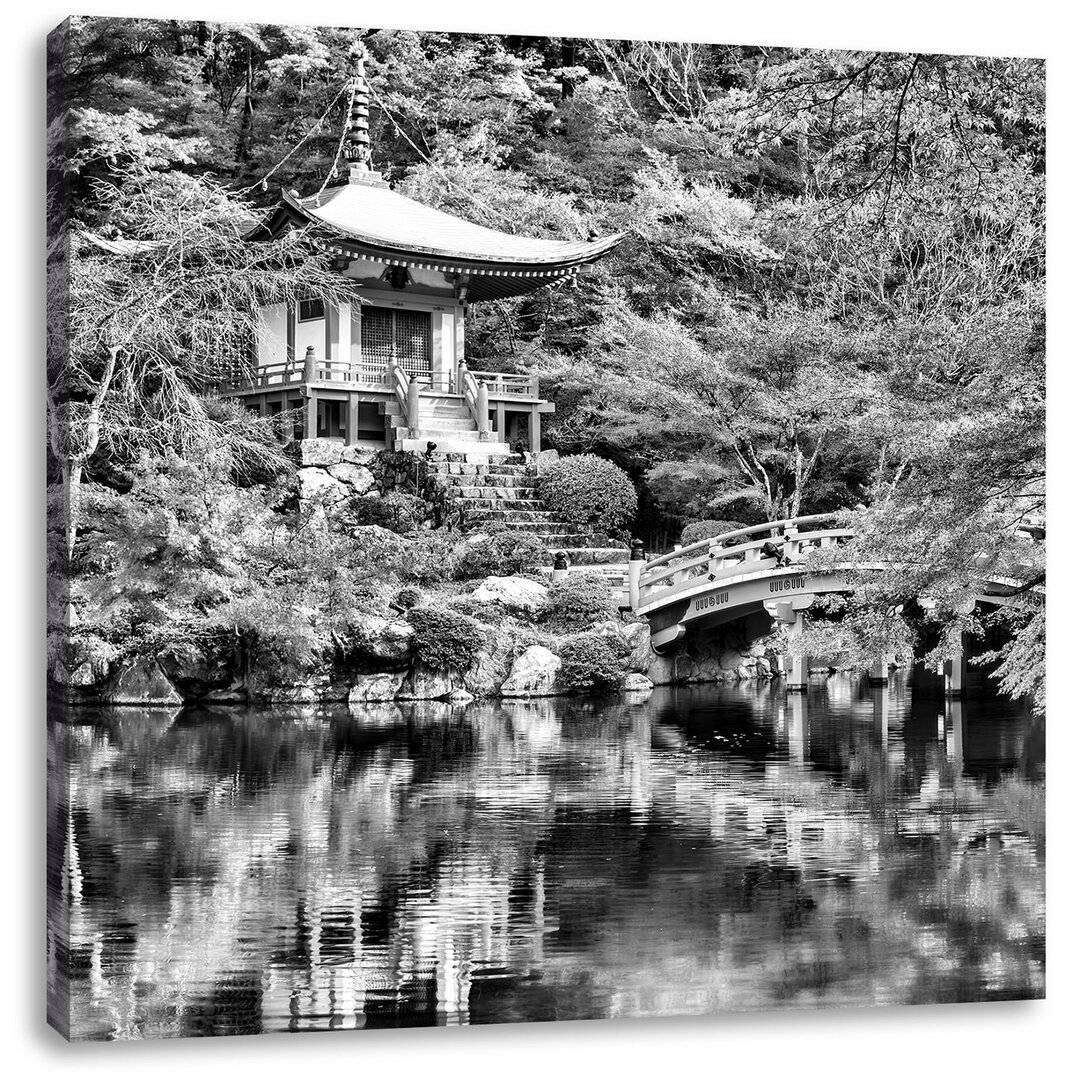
748	413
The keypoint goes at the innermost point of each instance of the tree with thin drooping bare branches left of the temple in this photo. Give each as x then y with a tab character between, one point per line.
160	312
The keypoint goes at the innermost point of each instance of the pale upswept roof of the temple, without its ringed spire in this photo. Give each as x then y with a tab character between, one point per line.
371	220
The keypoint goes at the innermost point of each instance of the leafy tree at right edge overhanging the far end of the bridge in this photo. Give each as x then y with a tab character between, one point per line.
958	498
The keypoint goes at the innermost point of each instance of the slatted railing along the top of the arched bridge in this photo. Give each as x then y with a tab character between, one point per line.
762	547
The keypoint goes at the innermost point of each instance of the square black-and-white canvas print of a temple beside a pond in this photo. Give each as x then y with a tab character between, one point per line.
541	529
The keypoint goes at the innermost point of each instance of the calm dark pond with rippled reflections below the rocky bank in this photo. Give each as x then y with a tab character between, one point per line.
720	848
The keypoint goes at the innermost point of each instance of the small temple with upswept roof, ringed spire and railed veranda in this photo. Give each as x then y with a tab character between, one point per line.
389	369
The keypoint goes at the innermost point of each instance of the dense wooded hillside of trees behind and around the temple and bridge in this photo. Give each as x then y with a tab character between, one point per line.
830	294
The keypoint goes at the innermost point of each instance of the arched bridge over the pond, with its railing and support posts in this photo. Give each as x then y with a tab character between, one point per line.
762	568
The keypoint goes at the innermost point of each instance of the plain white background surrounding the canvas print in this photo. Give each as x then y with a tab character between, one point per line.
965	1042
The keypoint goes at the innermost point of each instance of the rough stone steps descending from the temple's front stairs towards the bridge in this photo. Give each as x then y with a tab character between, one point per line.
496	490
